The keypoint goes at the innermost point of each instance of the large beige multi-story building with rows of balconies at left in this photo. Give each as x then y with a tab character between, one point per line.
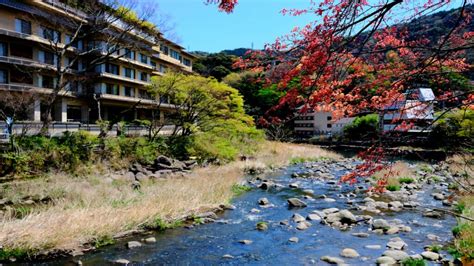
116	86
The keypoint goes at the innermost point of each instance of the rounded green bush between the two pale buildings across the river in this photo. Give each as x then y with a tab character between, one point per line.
363	128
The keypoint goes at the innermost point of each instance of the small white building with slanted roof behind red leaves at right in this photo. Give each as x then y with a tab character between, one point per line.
415	109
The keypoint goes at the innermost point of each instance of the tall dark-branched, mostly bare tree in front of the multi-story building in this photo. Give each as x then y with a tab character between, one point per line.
97	32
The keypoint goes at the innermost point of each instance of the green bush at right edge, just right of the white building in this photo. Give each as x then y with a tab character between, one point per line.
454	129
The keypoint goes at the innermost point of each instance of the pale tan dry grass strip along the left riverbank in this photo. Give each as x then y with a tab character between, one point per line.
93	207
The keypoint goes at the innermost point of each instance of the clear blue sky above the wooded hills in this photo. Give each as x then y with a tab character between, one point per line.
203	28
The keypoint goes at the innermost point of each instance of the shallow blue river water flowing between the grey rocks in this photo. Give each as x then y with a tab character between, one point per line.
207	244
